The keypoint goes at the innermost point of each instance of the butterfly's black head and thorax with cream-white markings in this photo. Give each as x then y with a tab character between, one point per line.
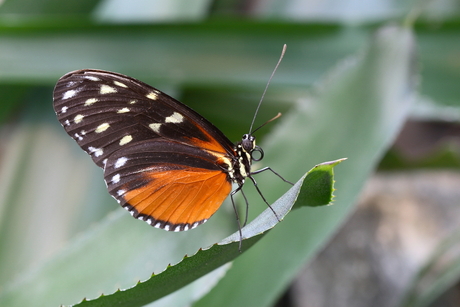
243	158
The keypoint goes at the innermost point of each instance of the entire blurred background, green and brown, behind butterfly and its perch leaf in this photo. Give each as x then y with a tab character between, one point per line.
376	81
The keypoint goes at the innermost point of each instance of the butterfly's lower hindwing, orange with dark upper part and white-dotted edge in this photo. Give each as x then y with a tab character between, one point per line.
167	184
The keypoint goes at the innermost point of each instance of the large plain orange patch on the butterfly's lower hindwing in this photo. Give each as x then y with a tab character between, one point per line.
182	196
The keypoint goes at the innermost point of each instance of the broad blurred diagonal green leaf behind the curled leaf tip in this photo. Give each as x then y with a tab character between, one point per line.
355	112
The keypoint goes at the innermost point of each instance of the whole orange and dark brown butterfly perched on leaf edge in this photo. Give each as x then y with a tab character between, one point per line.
162	161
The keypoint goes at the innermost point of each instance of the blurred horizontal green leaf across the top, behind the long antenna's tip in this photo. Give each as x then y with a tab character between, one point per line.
213	53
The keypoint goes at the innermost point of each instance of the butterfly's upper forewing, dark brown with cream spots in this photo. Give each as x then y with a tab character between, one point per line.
104	111
